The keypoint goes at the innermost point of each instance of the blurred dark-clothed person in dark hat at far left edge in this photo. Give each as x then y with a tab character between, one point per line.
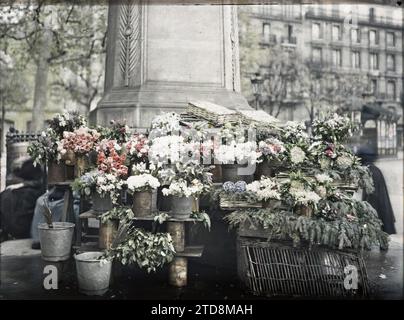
17	201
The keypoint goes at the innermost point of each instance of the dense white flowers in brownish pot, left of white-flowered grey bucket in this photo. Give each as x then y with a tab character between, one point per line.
141	186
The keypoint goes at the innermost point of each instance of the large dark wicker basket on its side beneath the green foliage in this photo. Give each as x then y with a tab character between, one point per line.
279	269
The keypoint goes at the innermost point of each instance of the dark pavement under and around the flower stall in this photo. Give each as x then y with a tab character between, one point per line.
212	277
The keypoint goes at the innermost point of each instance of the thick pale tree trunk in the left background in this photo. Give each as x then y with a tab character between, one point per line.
41	82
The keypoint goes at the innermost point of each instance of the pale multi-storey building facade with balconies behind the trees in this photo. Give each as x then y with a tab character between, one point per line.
349	39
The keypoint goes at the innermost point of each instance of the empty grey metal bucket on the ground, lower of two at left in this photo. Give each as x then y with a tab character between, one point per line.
93	275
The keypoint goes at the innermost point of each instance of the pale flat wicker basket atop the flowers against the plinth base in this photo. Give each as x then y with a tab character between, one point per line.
211	112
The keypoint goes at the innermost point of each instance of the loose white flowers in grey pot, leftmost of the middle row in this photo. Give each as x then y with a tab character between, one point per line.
104	188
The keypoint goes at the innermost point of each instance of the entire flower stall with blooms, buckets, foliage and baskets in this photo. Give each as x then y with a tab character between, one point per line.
290	196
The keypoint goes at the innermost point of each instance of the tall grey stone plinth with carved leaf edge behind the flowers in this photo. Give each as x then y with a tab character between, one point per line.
159	57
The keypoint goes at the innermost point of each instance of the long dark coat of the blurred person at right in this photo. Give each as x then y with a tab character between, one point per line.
380	200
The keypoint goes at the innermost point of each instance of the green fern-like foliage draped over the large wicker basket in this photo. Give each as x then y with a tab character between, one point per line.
357	226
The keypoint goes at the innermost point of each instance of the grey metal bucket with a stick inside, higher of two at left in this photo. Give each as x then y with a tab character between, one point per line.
56	242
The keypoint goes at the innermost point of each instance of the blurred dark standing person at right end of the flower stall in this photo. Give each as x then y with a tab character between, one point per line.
379	199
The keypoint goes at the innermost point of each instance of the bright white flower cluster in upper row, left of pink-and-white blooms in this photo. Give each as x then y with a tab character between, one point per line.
237	153
